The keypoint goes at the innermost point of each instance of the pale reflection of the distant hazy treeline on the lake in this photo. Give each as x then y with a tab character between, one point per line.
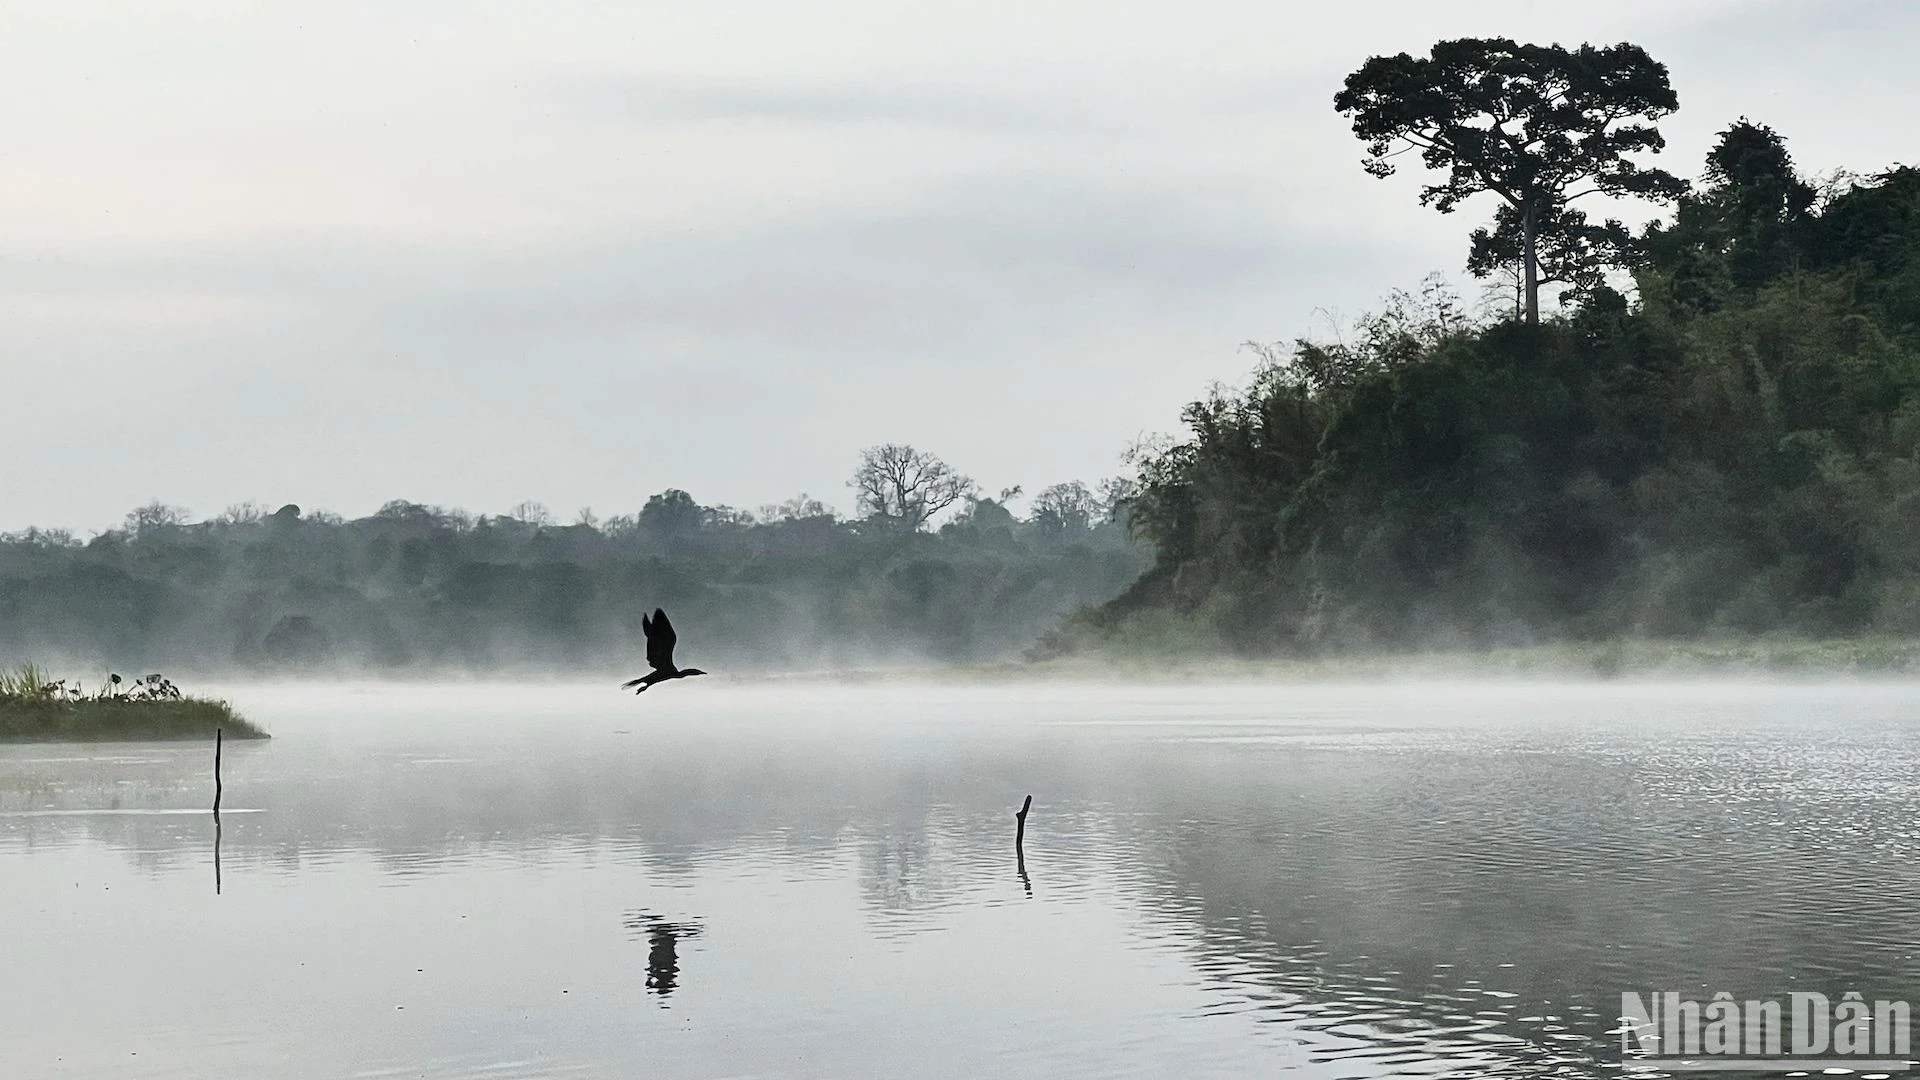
917	843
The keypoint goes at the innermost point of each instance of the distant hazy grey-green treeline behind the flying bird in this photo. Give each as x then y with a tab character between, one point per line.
427	589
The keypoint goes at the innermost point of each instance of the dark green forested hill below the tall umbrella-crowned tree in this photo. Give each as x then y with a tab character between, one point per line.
1735	451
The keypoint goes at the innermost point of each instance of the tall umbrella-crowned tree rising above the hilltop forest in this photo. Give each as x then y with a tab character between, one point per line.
1537	126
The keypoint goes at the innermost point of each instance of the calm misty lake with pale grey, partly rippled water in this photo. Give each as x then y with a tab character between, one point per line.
821	881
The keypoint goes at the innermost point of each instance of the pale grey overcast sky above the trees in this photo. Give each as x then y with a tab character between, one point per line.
479	253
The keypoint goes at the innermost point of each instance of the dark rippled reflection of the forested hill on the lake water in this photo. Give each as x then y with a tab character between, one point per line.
1491	906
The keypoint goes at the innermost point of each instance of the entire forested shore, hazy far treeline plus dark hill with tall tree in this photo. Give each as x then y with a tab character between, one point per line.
1716	435
